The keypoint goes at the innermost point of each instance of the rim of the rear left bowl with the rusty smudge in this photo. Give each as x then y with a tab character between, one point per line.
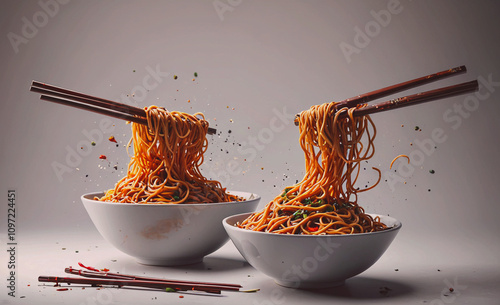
88	197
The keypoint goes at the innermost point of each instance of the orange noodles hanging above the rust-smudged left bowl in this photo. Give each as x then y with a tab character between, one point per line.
165	166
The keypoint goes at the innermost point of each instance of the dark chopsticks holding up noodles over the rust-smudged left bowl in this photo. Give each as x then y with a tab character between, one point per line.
91	103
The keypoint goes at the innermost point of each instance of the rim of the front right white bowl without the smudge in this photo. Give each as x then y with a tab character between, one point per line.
397	225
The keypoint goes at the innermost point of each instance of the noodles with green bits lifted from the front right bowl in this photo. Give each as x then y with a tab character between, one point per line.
325	201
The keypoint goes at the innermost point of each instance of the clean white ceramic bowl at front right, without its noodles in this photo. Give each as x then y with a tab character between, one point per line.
302	261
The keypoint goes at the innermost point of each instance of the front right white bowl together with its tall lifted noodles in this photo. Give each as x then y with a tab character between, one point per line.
314	234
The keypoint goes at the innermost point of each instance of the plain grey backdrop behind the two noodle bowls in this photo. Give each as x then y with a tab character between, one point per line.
265	59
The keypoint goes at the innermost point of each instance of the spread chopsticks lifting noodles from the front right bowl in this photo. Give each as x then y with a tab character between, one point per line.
409	100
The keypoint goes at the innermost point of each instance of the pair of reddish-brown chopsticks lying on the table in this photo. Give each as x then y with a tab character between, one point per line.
100	278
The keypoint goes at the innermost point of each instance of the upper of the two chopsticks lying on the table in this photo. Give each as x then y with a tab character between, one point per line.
110	275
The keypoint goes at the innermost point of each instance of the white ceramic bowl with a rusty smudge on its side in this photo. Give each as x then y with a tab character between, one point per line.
165	234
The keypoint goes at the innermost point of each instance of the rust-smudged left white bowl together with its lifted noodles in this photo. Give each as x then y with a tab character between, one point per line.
164	211
